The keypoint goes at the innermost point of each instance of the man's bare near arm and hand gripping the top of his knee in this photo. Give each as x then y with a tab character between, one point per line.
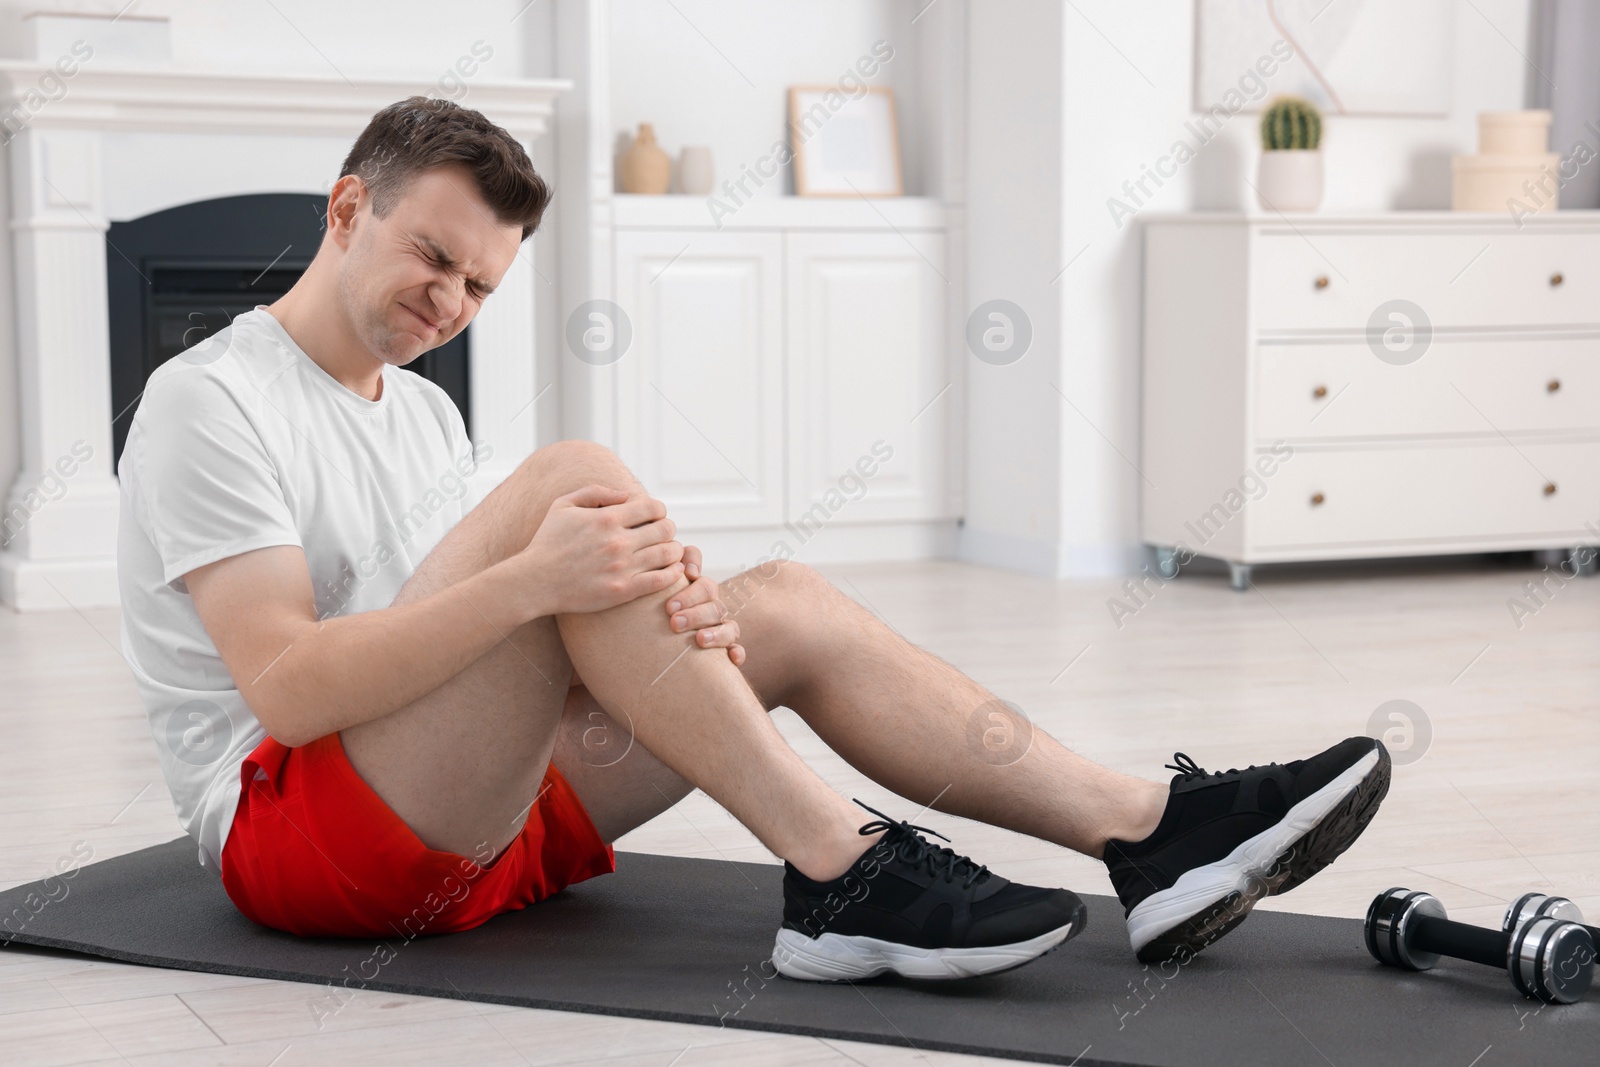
305	677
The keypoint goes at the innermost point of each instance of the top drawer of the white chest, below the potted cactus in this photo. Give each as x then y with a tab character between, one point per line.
1340	281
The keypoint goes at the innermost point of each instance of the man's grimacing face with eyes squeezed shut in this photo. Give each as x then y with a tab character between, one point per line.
414	281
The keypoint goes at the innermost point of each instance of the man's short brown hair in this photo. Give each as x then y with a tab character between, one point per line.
422	134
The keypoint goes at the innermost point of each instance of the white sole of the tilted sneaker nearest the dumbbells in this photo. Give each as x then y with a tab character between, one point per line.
1255	869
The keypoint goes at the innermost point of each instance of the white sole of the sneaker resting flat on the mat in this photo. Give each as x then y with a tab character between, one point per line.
839	959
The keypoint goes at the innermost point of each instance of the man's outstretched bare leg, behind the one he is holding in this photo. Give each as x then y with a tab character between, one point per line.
905	719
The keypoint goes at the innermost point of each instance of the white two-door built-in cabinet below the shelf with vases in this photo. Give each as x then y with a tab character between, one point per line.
791	374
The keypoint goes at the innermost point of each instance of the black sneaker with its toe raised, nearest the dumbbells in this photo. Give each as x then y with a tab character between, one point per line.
1233	837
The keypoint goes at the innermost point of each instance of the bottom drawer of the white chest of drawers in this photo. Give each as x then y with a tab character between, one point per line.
1444	495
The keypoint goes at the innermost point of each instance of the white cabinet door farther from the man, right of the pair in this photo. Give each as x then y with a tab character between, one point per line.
870	385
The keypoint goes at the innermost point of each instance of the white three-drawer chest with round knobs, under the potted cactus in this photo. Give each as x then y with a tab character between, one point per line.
1322	388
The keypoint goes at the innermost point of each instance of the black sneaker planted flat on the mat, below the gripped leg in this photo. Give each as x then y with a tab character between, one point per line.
916	909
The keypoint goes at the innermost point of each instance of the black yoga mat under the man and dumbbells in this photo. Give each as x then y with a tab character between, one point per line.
690	941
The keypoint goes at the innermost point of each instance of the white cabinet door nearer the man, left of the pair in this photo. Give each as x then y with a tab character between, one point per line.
700	394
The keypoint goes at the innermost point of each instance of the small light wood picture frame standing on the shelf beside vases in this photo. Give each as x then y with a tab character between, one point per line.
844	145
